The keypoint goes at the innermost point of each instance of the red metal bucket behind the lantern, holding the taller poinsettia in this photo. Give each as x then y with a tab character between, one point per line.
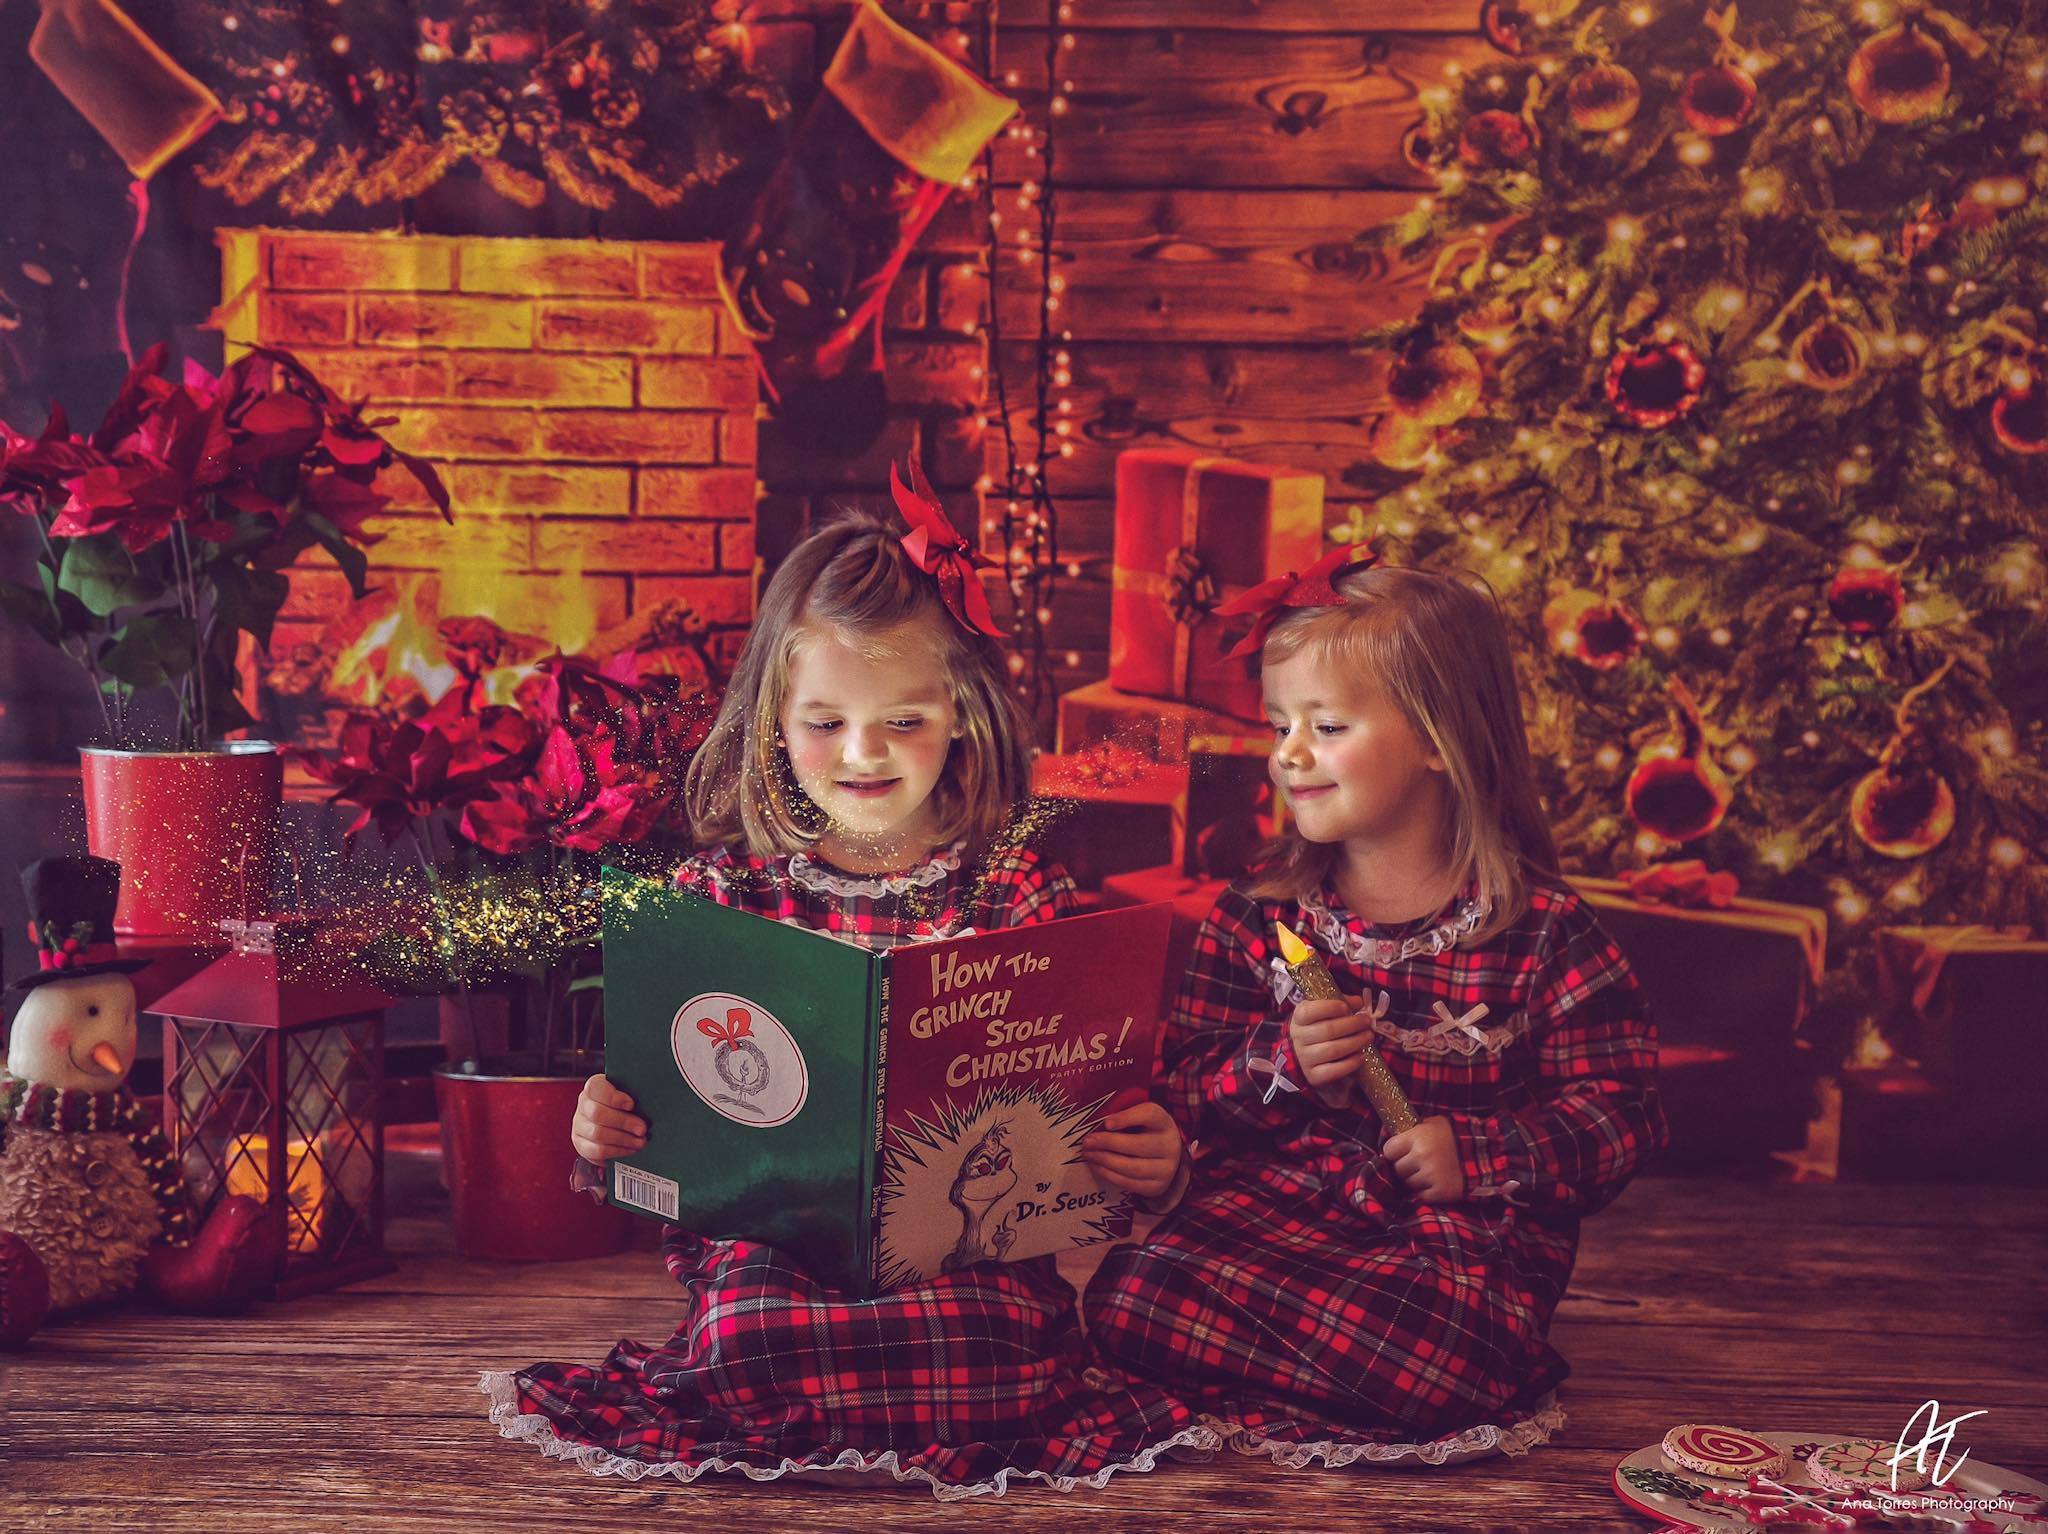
196	833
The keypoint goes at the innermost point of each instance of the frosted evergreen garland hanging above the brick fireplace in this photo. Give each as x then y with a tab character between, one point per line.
380	99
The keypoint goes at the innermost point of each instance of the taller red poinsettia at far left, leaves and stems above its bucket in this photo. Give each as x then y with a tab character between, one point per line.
169	529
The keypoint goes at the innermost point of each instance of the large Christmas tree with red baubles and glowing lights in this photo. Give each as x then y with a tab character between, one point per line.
1734	380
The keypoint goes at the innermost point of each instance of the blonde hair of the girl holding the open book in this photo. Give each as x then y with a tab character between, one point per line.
853	581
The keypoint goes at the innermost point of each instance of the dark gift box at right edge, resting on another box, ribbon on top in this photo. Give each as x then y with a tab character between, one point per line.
1967	1003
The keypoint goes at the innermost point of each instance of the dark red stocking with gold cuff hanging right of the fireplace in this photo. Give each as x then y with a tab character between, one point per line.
878	155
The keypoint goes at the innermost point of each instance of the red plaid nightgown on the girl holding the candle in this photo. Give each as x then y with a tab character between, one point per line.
1299	1291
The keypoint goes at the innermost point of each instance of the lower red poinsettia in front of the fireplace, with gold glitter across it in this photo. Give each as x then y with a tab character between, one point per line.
511	812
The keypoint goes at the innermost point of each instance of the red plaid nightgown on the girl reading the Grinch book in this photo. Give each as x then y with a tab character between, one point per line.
959	1381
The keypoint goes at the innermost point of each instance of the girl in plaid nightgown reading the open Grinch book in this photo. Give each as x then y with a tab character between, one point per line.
859	781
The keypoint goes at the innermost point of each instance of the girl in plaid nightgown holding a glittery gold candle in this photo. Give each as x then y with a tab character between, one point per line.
1326	1287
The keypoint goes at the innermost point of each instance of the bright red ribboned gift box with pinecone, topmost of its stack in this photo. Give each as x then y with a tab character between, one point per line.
1195	531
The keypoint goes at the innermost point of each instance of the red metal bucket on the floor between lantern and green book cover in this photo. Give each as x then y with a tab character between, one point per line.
505	1144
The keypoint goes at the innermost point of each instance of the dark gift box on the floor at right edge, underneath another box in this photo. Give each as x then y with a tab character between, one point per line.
1904	1125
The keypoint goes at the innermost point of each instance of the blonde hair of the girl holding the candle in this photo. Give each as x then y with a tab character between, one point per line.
1437	646
